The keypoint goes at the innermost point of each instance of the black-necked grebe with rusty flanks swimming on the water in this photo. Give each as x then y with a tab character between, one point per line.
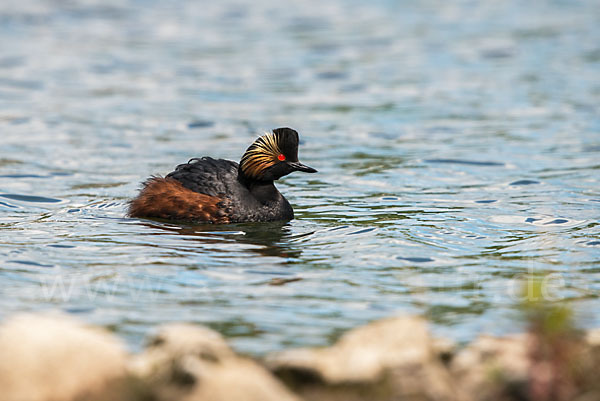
221	191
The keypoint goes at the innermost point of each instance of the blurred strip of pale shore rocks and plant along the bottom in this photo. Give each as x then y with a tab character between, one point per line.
57	358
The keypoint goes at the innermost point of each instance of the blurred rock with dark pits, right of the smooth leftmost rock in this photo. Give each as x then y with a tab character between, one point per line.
185	362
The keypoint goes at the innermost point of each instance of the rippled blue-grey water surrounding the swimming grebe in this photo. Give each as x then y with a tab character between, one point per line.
457	143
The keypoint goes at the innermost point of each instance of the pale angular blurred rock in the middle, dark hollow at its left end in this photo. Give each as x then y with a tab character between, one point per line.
386	360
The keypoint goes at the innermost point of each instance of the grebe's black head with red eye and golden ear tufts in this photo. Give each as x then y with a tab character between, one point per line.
272	156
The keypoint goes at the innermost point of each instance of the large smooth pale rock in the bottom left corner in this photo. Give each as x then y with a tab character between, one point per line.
46	357
